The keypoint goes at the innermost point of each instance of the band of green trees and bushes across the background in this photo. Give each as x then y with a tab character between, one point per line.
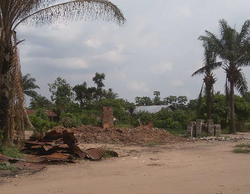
82	105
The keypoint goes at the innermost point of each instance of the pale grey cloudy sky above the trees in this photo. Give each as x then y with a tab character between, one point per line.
156	50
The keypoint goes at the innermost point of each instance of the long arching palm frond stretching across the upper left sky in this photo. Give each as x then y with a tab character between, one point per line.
87	10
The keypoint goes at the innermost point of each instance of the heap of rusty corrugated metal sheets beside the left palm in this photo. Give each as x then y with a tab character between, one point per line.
60	145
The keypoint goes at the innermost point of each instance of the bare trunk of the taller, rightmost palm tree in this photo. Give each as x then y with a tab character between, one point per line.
232	128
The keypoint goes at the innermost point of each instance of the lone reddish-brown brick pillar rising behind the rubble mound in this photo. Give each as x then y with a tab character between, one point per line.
107	118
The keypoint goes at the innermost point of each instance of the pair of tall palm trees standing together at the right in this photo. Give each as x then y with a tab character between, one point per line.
230	51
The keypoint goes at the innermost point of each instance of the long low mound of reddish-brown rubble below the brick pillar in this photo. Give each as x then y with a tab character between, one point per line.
140	135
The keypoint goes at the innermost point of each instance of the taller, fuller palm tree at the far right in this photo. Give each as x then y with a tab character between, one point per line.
233	48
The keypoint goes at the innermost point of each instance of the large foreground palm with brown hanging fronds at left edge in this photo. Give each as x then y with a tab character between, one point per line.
37	12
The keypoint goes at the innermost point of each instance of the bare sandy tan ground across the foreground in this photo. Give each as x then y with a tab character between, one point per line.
183	168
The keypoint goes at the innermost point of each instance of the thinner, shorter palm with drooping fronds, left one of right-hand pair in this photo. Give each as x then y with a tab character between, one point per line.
208	80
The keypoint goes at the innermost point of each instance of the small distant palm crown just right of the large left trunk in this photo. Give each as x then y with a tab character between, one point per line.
29	86
